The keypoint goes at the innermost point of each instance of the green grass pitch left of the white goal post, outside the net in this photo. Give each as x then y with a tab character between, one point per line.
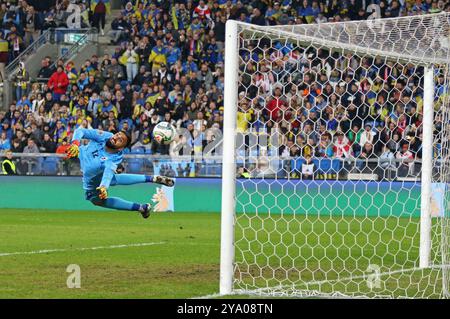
184	263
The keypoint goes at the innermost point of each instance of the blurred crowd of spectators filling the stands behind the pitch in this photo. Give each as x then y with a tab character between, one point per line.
169	66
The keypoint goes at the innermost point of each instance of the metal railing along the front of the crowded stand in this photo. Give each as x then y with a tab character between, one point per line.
211	166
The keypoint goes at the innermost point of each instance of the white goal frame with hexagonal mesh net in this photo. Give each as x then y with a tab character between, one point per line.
336	159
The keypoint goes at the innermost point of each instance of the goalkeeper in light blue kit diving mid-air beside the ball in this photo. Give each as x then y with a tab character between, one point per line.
99	161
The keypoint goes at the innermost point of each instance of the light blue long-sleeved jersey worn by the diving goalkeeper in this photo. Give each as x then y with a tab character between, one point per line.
97	165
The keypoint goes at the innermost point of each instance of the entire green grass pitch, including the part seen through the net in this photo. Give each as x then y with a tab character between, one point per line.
176	255
